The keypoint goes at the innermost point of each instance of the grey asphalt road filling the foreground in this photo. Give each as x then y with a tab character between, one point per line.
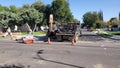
85	54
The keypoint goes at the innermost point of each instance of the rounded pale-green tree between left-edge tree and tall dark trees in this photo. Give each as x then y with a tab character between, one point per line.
32	17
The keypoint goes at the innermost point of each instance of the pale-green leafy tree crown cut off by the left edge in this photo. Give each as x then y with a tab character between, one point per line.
8	19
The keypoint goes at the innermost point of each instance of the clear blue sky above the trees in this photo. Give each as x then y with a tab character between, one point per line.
110	8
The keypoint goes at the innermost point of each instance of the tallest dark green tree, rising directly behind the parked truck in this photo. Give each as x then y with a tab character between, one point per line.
61	11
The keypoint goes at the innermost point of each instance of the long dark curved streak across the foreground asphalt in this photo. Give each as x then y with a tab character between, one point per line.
41	58
